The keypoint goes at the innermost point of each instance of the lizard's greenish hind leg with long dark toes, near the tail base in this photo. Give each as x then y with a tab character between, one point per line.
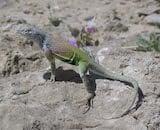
91	90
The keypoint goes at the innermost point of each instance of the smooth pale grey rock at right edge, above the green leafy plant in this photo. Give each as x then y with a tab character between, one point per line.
153	19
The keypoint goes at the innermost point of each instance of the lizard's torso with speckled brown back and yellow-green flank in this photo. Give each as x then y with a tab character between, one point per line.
66	52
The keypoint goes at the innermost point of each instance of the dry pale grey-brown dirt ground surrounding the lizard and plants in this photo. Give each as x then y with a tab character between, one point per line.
29	101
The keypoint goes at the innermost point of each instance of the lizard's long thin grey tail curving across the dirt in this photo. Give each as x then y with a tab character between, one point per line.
101	71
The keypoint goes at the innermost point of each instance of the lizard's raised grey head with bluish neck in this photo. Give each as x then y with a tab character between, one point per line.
31	32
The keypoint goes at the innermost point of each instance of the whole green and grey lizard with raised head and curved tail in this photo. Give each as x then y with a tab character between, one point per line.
57	48
